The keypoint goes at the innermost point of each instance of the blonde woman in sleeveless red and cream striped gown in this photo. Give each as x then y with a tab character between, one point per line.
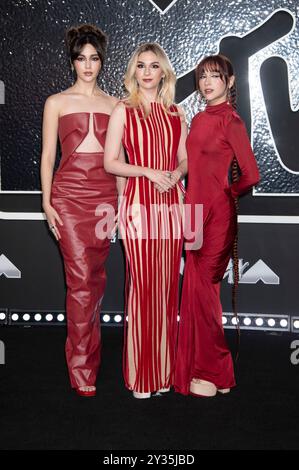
153	132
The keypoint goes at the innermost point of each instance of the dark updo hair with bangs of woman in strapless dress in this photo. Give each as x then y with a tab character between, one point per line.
78	36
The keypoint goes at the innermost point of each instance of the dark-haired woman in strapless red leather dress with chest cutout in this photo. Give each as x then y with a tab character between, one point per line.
80	195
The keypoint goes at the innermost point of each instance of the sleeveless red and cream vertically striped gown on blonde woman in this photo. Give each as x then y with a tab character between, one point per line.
151	228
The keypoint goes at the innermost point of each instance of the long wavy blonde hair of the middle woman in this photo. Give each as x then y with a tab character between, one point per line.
166	90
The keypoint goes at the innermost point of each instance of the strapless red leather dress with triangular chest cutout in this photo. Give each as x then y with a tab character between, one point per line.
80	187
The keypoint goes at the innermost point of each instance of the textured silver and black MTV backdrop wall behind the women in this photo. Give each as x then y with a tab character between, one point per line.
261	38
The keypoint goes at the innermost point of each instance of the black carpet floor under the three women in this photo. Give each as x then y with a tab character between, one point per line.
38	410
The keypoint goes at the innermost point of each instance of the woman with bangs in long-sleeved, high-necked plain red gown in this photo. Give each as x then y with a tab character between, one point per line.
217	136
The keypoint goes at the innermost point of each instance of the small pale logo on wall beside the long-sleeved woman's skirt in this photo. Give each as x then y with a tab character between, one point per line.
260	271
